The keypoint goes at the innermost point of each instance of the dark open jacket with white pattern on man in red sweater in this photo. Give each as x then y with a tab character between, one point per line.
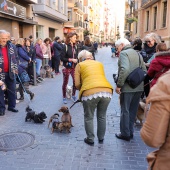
12	61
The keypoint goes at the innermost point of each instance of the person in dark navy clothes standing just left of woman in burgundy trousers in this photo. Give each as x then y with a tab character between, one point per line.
57	48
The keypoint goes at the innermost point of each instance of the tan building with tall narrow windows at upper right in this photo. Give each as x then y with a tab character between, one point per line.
152	17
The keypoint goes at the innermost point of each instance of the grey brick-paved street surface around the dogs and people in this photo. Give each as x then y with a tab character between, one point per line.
62	151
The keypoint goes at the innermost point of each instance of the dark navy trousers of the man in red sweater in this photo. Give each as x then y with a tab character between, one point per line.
11	94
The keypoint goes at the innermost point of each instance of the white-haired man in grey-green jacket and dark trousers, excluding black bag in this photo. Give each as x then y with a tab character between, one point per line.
129	97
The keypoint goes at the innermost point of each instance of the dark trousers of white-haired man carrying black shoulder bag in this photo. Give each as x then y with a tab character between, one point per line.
129	105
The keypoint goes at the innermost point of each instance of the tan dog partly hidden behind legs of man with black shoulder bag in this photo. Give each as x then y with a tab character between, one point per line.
140	115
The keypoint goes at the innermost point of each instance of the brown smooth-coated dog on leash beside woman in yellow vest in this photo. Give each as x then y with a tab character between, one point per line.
66	122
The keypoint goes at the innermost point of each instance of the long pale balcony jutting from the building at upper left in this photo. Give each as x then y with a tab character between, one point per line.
49	12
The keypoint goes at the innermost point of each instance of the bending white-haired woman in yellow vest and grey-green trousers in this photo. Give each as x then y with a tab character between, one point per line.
95	93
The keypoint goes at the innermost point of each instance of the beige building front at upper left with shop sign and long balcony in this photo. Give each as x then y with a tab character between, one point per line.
40	18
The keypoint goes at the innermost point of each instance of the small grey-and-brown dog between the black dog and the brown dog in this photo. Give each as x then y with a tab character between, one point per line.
54	119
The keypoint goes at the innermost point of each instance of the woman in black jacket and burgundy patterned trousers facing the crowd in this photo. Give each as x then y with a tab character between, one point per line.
69	58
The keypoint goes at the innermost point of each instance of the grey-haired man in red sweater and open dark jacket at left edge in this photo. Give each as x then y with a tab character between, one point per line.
8	67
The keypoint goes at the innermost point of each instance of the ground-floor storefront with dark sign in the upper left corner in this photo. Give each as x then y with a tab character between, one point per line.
14	20
